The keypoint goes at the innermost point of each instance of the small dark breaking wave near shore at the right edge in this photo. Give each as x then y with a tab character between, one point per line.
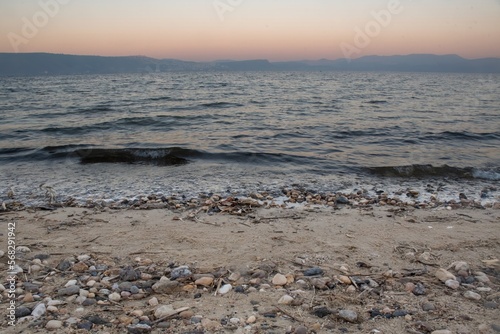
423	171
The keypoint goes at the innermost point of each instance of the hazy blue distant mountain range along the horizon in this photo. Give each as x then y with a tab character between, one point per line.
29	64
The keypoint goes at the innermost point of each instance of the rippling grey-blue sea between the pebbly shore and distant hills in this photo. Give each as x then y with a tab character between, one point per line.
113	137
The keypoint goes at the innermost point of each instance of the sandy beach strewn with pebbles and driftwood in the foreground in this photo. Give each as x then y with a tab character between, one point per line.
302	270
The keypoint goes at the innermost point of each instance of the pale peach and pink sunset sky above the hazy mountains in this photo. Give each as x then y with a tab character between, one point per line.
278	30
